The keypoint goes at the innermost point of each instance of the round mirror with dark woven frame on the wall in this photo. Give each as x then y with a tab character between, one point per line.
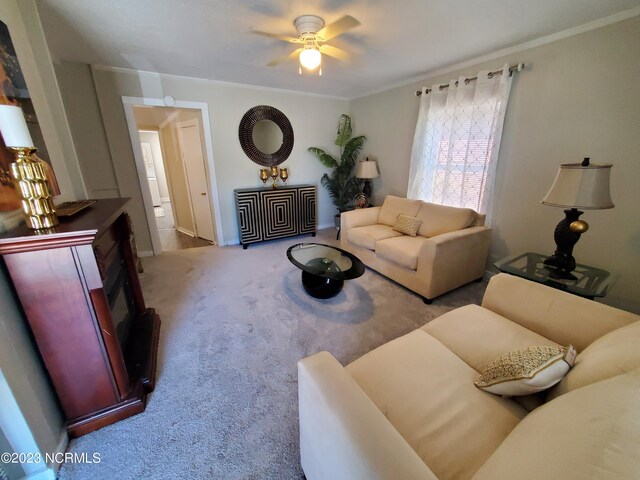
280	132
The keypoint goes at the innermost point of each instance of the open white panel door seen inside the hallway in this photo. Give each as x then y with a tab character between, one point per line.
193	158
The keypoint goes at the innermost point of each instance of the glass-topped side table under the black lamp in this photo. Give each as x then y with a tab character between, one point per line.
590	282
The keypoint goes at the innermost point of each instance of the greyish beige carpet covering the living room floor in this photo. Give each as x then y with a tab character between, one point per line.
235	322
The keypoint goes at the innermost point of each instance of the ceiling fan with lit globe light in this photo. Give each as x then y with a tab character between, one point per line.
312	35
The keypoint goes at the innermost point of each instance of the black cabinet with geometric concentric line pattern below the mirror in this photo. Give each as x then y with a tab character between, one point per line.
267	214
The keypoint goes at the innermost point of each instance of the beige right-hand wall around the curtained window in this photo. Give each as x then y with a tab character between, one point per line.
577	98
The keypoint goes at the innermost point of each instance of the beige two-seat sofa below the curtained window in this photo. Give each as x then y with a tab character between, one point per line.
450	249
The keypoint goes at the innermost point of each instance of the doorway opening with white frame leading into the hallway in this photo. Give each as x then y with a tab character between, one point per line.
173	160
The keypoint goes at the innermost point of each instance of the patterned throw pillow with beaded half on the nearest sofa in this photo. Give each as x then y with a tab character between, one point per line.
527	371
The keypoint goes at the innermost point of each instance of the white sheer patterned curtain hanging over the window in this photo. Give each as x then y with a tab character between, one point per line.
456	143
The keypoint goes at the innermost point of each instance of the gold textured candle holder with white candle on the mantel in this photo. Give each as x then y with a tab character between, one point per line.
30	177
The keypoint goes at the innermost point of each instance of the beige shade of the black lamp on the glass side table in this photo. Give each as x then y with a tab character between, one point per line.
580	186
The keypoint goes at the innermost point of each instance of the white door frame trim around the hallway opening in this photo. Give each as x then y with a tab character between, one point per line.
214	201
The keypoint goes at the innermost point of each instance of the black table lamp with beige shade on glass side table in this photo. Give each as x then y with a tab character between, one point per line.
577	186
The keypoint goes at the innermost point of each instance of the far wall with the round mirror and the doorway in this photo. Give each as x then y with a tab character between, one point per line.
313	119
